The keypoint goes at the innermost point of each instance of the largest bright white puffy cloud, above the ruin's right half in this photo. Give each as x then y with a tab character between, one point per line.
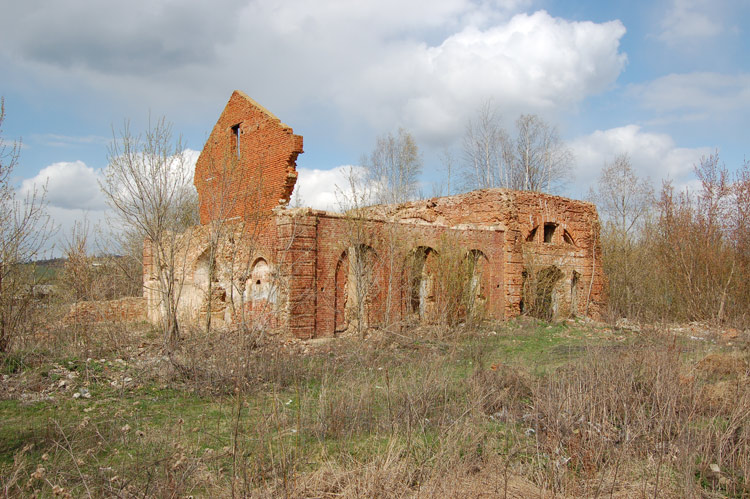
532	63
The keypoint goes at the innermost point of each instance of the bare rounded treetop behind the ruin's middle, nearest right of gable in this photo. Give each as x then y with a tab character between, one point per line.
395	165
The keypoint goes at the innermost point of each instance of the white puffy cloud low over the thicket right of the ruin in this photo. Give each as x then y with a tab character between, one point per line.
653	155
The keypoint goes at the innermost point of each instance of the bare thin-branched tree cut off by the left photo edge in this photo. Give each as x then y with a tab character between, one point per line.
25	229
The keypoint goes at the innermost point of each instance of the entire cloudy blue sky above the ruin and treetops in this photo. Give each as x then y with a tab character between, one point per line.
665	81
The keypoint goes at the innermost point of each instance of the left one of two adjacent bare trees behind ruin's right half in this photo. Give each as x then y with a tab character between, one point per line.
483	142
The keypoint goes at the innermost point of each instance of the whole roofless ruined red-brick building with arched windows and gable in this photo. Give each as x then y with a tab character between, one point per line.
317	273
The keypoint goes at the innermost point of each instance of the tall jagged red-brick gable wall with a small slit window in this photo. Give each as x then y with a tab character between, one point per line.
248	165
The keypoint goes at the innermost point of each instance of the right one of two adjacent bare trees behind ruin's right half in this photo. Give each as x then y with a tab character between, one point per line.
537	158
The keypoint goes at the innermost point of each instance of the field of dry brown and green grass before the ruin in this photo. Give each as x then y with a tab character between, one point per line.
516	409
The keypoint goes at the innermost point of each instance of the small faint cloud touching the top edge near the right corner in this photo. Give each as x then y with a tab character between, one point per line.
691	21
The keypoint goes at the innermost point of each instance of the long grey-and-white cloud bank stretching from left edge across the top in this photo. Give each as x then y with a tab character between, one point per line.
424	64
